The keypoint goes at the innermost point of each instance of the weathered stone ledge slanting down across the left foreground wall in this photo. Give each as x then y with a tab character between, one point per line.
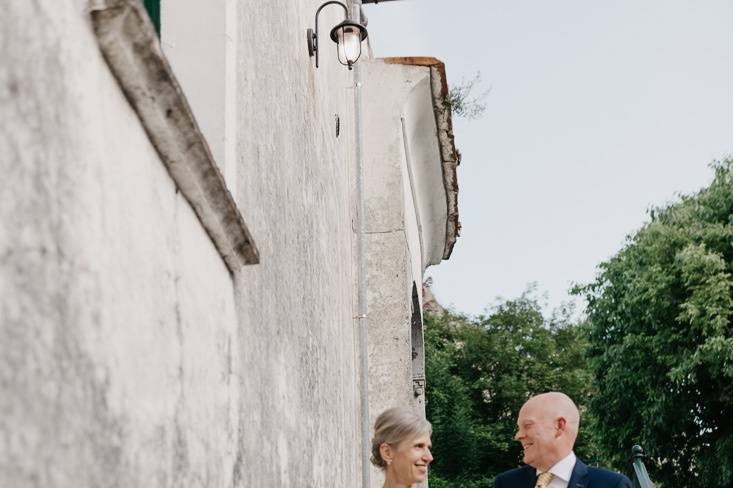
130	46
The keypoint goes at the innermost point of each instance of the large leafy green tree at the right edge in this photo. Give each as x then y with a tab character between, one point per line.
661	340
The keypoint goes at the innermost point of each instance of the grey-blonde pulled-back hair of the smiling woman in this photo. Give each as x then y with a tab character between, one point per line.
393	426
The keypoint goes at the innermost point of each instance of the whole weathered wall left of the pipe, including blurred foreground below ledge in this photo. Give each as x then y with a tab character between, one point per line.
129	356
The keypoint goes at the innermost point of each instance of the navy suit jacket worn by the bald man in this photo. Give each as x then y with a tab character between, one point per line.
582	477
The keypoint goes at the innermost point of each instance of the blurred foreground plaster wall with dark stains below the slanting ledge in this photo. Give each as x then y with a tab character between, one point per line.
118	334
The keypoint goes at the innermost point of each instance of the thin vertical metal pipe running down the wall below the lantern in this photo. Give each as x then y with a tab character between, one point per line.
362	308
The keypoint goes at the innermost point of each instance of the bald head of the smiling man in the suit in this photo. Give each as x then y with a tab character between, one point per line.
547	428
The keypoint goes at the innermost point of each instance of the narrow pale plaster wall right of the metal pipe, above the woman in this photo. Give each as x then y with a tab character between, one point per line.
393	242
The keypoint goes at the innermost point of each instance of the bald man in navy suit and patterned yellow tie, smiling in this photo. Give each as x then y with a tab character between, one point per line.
547	428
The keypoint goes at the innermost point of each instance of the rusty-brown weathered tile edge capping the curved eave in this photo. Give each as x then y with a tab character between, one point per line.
449	154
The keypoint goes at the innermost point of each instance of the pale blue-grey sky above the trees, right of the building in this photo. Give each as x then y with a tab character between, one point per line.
597	111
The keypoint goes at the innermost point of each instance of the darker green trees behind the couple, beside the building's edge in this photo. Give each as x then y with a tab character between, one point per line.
480	371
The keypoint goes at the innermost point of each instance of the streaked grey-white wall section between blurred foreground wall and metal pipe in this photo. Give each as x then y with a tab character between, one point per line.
300	393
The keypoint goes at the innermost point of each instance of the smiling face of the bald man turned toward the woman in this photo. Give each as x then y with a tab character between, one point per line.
537	433
